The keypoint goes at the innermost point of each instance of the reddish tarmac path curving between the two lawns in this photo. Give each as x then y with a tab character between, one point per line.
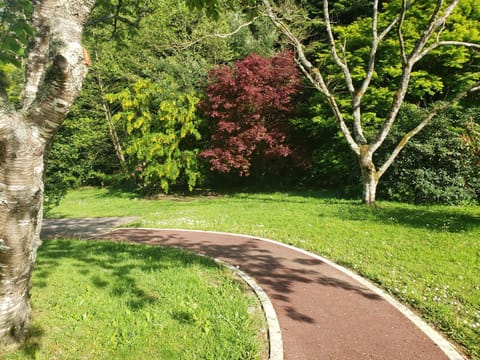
324	311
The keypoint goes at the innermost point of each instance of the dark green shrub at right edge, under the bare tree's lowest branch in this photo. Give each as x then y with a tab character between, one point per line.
438	165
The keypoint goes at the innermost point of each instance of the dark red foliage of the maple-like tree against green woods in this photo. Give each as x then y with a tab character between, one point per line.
250	105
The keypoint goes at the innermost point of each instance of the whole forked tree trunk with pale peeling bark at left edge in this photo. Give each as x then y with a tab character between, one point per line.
55	70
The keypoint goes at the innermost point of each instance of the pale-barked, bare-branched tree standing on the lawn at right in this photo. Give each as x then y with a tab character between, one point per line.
411	31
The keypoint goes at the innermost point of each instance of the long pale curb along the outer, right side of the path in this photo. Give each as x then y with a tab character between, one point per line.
429	331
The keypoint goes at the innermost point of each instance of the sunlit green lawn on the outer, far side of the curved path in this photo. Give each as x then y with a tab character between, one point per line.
426	256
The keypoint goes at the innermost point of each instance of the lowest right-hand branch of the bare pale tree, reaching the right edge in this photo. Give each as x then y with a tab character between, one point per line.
431	114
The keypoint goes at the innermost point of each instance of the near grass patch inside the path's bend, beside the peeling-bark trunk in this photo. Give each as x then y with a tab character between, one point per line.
100	300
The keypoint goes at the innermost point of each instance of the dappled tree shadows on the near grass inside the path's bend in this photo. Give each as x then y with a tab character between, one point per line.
109	267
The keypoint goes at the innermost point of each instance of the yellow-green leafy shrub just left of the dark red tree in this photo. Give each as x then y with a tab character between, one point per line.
159	121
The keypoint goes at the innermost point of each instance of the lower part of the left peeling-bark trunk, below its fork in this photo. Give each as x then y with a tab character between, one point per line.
21	197
